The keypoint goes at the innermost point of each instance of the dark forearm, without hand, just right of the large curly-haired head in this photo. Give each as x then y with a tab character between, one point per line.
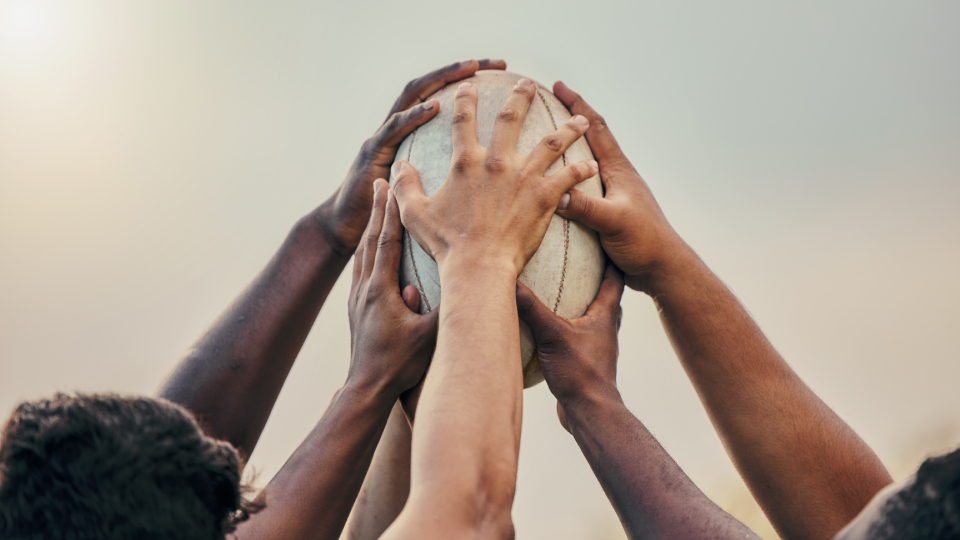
312	494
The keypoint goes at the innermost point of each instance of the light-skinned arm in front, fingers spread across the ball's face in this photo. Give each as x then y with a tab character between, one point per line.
482	226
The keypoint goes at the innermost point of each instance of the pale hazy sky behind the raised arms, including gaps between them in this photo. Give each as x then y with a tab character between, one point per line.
153	155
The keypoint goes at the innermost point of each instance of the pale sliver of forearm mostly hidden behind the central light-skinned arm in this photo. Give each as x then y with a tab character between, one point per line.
387	483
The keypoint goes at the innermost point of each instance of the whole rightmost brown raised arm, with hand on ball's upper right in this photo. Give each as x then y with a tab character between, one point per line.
808	470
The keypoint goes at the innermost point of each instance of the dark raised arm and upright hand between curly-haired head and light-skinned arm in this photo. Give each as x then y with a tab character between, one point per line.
311	496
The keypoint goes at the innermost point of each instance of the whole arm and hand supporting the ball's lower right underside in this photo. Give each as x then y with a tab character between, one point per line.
652	496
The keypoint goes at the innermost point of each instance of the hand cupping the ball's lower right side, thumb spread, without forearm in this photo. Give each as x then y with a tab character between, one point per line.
578	356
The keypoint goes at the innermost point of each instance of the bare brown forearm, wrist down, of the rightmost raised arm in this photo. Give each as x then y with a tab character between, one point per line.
810	472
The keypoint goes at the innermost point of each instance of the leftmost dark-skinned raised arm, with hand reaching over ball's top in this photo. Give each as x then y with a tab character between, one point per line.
231	377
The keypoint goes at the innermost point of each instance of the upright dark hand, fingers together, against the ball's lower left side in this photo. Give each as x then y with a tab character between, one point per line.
391	344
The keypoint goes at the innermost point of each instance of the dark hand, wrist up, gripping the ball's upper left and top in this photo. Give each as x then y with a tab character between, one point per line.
344	216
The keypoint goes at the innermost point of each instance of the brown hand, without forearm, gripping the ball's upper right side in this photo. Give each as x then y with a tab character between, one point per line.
632	228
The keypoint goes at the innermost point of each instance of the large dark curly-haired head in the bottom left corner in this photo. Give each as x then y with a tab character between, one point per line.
110	467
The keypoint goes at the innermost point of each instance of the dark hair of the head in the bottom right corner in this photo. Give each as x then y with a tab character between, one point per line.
928	508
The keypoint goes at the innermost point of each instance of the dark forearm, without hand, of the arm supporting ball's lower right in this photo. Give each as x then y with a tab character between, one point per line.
651	494
